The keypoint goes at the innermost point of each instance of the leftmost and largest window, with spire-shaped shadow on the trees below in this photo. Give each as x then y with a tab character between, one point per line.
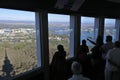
17	42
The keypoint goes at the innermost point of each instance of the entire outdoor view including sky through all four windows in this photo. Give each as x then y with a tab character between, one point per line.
18	39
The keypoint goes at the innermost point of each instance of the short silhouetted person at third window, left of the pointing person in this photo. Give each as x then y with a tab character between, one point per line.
84	58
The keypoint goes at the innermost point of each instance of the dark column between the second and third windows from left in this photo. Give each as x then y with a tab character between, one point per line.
75	22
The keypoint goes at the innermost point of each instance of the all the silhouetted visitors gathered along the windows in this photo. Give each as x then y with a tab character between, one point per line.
105	57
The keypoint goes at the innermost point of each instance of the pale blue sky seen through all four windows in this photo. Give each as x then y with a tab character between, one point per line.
8	14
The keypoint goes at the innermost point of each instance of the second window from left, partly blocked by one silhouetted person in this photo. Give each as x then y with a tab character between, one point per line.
59	33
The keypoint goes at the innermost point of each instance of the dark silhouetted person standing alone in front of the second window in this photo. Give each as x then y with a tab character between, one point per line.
58	64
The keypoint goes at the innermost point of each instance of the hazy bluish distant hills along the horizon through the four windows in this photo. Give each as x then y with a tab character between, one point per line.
51	24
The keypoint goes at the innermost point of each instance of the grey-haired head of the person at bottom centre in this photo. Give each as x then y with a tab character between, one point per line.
76	68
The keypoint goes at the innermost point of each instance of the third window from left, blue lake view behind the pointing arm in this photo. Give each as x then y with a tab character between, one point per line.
87	29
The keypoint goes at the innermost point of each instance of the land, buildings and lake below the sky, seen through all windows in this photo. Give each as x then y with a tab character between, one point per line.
18	42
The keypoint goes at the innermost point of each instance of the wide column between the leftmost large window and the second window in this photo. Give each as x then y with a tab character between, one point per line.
42	44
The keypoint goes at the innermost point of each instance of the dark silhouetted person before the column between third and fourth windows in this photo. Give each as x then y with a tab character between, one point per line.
96	56
